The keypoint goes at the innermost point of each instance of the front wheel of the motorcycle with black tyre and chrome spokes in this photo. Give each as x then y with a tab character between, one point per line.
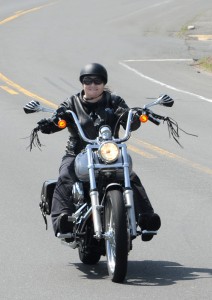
116	237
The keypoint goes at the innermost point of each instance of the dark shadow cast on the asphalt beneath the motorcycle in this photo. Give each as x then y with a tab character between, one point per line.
148	273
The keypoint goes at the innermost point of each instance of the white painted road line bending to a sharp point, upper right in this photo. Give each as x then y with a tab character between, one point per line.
122	63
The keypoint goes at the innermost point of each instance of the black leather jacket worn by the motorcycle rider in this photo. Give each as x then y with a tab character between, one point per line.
92	116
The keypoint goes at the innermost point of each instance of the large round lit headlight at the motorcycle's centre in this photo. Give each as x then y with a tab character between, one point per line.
108	152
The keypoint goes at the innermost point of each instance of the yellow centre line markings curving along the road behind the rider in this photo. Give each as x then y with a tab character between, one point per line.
13	88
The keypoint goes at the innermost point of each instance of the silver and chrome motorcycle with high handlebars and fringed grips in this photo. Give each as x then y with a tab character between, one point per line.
104	219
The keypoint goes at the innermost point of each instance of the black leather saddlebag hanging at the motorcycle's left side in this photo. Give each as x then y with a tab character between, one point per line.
46	196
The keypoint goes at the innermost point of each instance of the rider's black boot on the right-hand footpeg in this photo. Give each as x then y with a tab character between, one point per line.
148	222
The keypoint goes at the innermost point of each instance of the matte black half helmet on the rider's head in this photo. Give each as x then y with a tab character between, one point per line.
94	69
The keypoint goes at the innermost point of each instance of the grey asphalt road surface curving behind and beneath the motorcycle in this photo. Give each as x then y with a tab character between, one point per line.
43	46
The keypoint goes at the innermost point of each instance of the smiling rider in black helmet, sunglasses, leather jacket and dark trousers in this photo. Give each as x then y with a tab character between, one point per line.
94	106
